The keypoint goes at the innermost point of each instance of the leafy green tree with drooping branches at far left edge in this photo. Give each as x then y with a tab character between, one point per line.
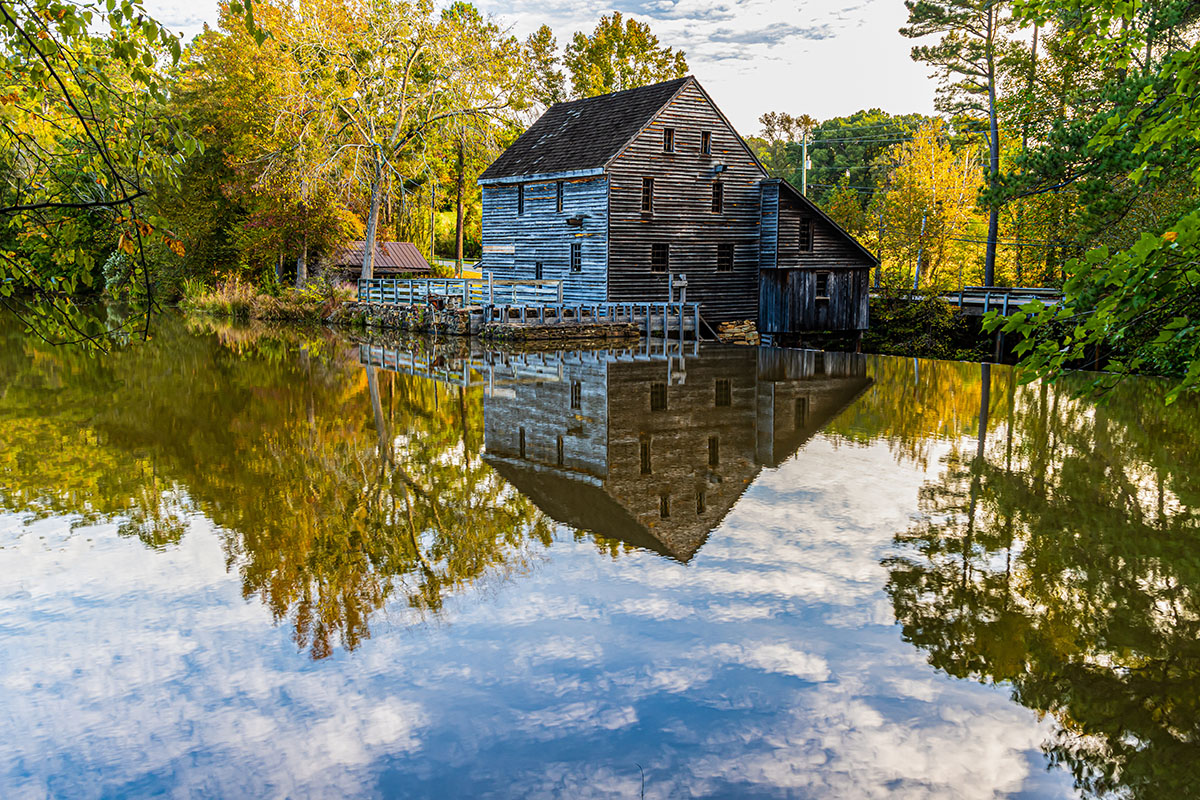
85	147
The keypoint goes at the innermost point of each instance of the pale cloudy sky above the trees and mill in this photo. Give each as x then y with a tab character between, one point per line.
825	58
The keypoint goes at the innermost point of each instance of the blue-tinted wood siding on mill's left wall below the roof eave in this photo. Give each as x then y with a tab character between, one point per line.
514	244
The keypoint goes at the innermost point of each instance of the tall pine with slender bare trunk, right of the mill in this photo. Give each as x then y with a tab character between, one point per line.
969	57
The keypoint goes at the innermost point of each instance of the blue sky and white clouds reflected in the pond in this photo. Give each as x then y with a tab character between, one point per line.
769	666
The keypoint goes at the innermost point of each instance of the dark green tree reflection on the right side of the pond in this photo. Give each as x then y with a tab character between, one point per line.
1060	555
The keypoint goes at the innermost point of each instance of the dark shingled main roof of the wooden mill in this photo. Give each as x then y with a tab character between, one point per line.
583	134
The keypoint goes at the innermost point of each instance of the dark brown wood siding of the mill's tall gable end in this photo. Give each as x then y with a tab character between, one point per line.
683	216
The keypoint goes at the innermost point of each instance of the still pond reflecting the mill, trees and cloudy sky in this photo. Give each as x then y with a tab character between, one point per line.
250	562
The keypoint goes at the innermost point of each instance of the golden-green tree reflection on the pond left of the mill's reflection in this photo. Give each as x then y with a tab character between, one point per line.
277	438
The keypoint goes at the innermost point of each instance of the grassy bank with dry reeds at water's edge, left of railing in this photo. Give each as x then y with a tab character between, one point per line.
241	299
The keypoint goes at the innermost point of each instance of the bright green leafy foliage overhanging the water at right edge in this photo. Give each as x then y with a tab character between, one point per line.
1131	308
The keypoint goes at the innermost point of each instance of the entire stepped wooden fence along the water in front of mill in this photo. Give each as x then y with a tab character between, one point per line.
531	302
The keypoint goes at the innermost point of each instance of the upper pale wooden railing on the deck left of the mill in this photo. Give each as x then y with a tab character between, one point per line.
470	292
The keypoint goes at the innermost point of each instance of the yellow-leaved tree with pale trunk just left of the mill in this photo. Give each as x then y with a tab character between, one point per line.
381	77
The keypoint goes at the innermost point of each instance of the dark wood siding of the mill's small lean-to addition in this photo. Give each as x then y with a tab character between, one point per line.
788	302
